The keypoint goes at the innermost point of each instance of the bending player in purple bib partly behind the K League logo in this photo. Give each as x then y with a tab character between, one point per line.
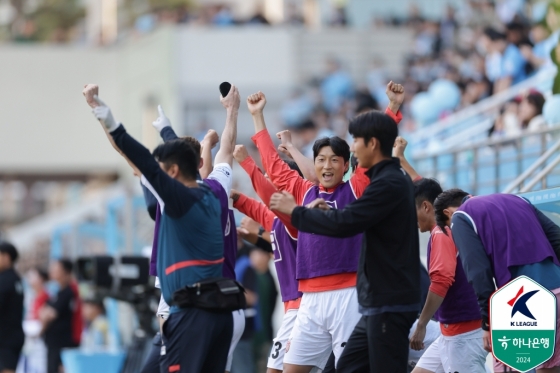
493	234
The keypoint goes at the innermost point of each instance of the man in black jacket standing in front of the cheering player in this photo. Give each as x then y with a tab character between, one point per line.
388	269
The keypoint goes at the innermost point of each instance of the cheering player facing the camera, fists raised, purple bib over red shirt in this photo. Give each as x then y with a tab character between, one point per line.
325	267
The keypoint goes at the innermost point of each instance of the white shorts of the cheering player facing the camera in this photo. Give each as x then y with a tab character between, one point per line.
324	323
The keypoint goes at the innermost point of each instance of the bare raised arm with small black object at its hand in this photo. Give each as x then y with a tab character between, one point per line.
229	136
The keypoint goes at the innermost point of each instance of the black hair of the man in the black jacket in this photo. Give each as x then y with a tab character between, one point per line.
375	124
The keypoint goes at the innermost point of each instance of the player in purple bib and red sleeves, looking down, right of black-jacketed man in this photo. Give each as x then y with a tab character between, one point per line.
451	298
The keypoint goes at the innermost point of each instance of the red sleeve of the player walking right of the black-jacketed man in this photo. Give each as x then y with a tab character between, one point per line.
443	261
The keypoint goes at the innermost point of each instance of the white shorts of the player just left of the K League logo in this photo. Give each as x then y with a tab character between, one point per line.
459	353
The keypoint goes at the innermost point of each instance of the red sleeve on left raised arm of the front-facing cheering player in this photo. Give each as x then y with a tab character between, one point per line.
279	172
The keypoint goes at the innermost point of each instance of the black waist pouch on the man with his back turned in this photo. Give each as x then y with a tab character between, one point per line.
214	294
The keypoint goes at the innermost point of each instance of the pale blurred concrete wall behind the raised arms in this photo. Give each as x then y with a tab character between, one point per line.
47	127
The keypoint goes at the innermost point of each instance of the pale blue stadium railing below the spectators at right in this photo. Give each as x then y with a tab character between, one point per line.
495	165
